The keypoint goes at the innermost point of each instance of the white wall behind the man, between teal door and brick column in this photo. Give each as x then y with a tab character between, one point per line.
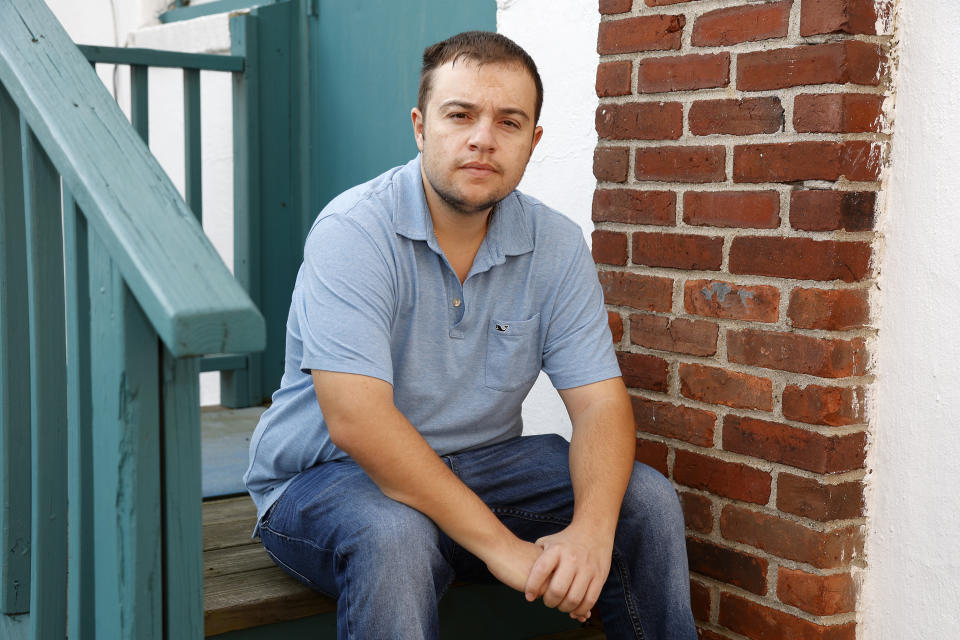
561	36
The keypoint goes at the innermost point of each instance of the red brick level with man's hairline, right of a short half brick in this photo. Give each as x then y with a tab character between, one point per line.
683	73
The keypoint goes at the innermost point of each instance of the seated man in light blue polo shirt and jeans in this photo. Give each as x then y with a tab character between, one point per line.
429	299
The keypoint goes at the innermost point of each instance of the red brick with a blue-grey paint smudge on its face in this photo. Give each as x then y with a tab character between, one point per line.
717	299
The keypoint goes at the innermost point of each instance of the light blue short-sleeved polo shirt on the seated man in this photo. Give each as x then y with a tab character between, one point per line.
376	296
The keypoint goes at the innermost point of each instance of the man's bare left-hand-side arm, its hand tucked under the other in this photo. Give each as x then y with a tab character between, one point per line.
363	421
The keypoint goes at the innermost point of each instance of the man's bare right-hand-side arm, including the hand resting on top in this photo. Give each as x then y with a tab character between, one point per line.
575	562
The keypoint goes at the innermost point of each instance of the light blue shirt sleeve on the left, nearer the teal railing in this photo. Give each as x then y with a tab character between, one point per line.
345	301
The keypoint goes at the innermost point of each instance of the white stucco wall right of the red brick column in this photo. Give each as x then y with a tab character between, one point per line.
912	584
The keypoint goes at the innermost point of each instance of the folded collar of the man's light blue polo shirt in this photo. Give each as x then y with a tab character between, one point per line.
510	232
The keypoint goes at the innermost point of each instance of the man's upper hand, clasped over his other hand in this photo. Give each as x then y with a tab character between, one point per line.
570	572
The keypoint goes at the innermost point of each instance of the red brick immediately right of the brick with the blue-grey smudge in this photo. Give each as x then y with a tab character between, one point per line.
830	309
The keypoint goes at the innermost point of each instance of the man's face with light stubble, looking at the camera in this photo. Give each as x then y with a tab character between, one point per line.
477	134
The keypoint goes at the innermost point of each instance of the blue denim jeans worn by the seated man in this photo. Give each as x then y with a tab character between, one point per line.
388	564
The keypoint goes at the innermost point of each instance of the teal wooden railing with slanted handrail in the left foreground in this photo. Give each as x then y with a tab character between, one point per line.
109	296
